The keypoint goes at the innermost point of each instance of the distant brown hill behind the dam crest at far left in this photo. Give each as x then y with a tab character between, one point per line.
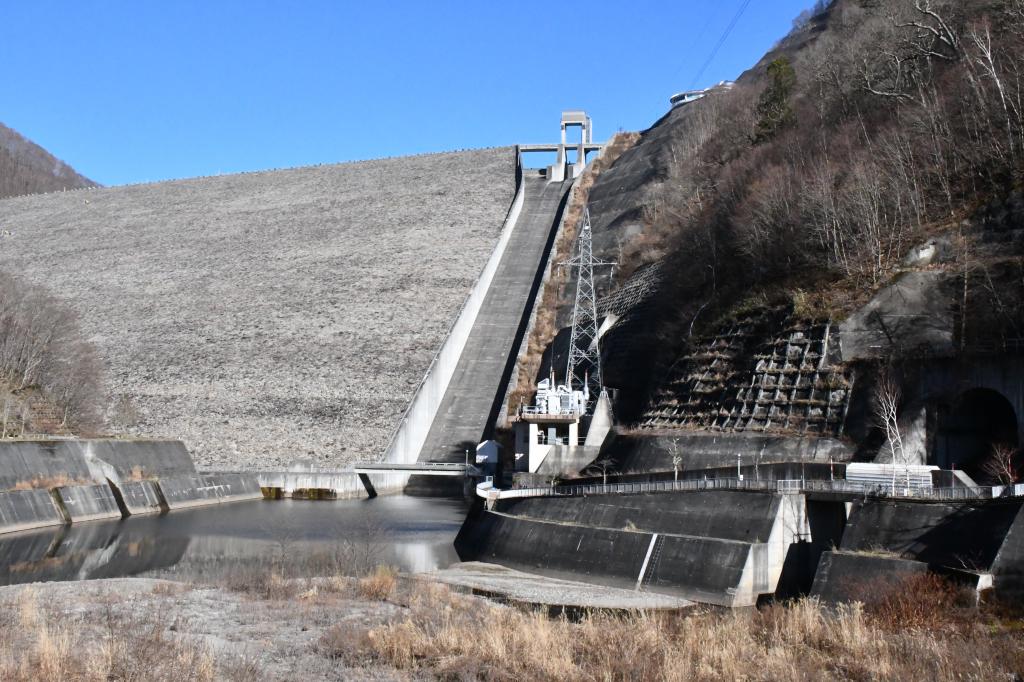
26	168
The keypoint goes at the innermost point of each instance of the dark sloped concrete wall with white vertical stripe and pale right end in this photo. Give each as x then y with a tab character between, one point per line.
717	547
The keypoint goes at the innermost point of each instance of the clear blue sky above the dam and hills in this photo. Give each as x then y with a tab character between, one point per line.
141	92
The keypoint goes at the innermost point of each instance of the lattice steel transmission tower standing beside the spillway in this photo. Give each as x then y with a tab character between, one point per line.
584	372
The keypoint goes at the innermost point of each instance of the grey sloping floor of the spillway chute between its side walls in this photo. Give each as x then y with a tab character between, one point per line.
473	401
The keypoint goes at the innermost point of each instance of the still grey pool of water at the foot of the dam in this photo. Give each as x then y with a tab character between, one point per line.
292	537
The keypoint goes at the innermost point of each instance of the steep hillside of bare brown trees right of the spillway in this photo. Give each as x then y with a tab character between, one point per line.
874	126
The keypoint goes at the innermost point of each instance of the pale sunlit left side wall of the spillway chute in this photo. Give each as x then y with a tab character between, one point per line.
407	443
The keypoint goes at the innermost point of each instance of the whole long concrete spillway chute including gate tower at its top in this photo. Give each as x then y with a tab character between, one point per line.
459	401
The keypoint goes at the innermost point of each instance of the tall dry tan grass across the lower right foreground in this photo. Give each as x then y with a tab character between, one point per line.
454	637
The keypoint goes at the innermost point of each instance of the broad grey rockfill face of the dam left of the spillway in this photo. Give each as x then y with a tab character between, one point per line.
268	317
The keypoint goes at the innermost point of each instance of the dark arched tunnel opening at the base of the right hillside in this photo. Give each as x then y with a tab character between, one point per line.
967	431
